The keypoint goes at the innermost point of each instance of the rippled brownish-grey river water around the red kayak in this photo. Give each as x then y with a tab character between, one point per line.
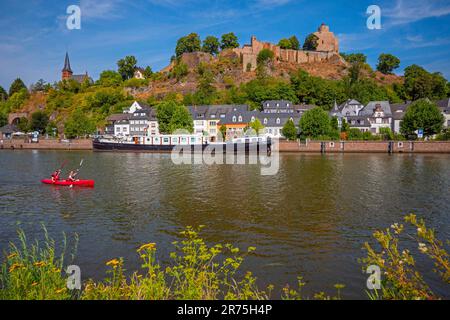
310	219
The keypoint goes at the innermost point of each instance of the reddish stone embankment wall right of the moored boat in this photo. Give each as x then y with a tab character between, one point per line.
366	146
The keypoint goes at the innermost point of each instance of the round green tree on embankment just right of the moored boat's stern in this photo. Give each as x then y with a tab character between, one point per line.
315	123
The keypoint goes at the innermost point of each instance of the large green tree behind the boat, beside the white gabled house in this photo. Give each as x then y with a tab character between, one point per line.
172	116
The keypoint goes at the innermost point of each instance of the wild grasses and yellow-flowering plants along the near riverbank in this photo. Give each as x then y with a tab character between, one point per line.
201	271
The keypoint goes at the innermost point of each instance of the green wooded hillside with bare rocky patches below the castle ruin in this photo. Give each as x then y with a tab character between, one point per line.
212	74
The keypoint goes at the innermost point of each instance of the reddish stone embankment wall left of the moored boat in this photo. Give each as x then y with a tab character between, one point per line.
50	144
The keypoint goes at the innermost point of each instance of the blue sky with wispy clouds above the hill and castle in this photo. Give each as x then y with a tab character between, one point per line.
34	37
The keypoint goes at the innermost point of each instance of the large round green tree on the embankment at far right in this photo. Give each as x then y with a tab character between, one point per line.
422	114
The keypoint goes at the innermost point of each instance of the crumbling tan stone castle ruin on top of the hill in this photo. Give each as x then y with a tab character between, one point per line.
327	47
